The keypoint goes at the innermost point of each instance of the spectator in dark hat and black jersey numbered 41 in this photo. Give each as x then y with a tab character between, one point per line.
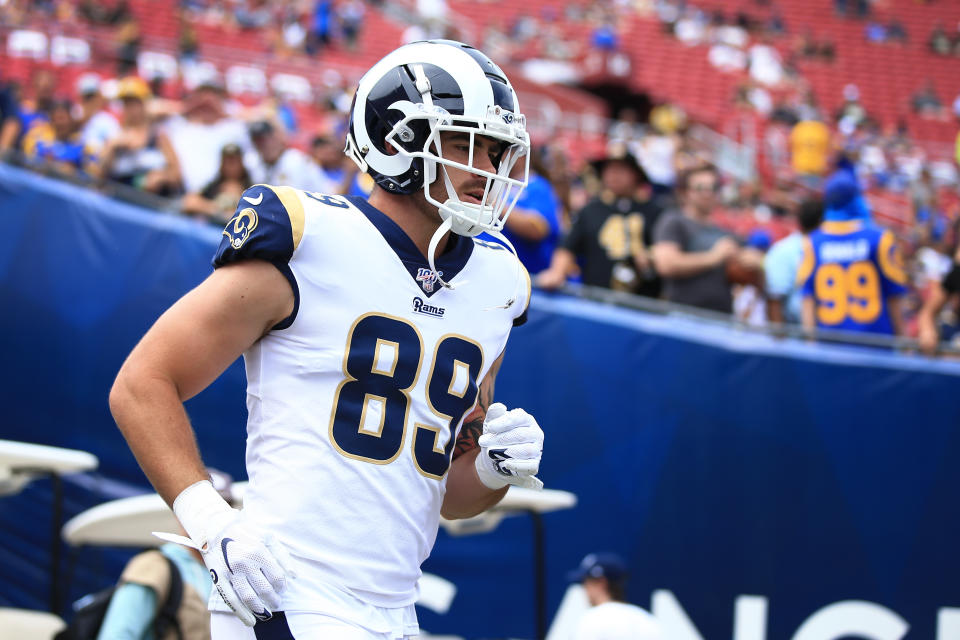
610	236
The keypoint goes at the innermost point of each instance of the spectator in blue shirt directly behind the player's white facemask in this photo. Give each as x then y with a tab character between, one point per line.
534	225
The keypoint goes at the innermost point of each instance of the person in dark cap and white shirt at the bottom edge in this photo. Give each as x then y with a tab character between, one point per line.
604	577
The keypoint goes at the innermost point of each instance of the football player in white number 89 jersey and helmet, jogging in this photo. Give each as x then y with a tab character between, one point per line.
370	331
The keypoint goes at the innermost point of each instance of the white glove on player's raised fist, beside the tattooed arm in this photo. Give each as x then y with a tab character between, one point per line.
510	449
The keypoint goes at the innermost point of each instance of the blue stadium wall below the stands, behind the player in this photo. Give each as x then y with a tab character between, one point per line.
719	463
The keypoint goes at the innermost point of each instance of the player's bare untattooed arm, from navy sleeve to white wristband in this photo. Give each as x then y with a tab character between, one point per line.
188	347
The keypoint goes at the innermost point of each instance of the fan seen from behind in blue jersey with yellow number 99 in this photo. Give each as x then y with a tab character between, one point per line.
851	268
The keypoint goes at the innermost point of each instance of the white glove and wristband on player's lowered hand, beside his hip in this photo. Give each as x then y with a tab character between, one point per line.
248	569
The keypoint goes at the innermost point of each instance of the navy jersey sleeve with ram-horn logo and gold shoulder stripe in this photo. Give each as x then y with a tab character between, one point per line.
268	225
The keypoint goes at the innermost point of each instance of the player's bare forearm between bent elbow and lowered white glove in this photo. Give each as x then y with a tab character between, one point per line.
151	417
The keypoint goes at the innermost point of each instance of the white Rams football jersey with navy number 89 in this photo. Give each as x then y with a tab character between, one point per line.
355	400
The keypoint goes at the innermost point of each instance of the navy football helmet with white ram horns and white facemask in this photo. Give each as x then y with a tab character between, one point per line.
421	90
